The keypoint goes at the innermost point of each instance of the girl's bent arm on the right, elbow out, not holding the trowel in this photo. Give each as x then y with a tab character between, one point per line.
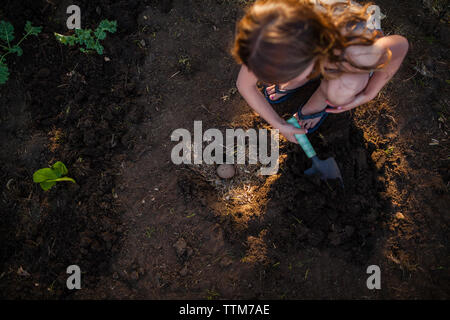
366	56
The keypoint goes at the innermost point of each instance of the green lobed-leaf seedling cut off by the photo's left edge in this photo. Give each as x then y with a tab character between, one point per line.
7	36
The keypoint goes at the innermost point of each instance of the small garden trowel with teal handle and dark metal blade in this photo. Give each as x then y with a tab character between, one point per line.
328	169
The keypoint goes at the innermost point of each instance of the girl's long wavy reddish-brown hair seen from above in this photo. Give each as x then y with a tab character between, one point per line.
278	39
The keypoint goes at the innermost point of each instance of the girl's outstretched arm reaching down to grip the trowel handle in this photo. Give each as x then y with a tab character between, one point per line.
246	84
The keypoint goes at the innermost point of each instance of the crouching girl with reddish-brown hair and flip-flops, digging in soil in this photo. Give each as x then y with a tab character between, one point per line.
286	43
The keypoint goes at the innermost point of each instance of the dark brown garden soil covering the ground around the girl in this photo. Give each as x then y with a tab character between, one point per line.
141	227
